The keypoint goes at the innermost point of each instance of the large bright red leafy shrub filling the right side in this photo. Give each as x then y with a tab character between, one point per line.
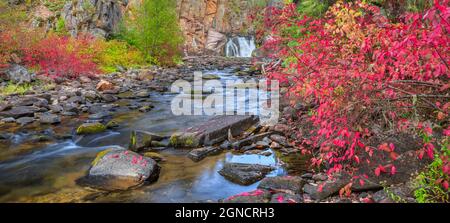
360	69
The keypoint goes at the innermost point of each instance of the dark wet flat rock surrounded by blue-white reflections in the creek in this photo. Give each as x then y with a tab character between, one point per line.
244	174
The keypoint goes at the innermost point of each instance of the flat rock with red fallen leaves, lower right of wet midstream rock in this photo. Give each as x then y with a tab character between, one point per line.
283	184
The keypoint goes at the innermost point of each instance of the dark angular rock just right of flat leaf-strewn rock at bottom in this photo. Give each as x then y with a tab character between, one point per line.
329	188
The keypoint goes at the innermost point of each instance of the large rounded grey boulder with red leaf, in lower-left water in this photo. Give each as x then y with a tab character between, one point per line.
120	170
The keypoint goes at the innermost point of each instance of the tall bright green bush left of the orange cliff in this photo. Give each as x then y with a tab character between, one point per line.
154	30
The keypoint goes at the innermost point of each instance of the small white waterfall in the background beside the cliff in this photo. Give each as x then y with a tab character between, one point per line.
240	47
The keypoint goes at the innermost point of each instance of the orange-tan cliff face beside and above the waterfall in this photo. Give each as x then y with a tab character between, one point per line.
218	18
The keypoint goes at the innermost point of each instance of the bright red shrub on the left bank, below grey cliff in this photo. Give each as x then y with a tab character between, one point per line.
58	56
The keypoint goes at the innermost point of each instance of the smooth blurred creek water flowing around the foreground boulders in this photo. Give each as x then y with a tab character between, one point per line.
47	173
